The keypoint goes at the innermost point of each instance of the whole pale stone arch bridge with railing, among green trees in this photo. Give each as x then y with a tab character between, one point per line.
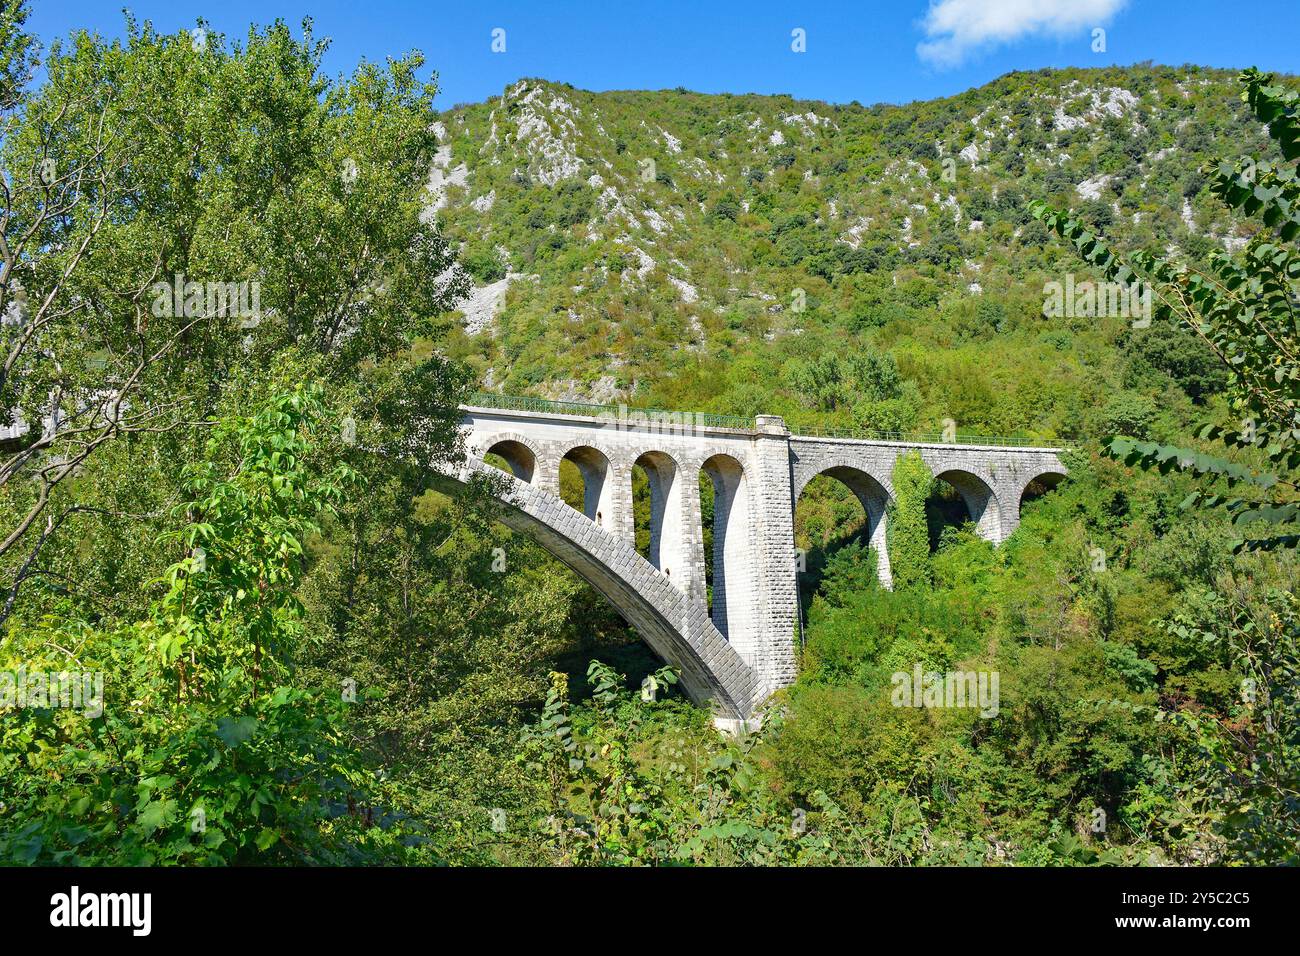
743	648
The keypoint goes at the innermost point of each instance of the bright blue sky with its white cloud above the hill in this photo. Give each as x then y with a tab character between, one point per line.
872	53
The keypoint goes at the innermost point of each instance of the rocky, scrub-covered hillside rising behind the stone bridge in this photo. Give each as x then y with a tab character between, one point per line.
625	244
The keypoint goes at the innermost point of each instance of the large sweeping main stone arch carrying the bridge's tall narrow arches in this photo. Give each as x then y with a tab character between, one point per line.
678	629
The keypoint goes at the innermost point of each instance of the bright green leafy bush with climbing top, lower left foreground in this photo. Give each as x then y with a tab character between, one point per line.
200	750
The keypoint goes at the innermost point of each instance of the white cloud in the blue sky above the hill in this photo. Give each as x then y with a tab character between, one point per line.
957	28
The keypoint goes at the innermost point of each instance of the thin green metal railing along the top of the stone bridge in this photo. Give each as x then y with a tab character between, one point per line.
703	419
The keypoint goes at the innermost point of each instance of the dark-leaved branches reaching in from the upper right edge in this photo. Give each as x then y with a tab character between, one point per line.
1243	313
